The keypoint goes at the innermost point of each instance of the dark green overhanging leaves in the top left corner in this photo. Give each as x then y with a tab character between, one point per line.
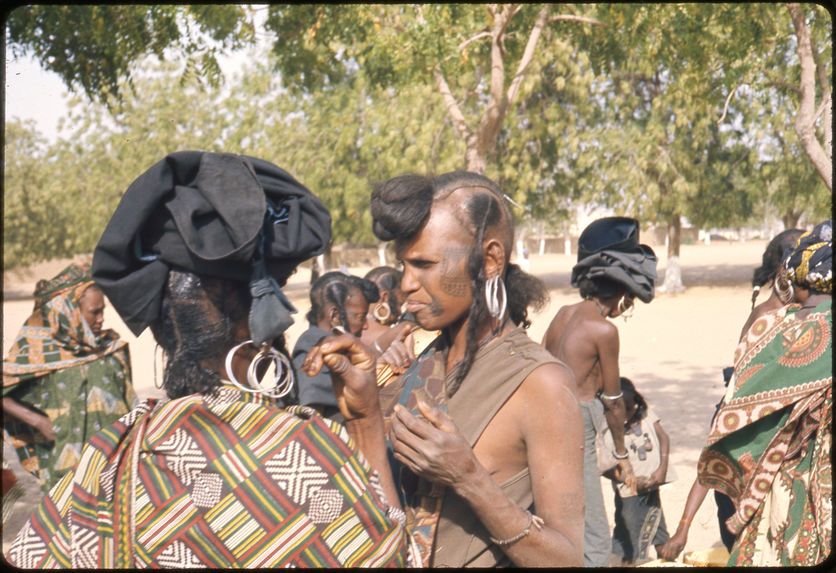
96	47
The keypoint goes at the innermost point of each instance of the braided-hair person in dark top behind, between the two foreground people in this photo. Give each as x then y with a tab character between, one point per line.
339	305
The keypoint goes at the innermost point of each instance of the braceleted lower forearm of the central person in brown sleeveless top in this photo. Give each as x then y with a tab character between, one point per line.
503	519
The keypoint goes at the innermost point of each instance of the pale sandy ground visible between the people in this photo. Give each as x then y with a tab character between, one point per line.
673	349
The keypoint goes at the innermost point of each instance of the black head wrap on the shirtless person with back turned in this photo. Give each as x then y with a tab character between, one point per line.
609	248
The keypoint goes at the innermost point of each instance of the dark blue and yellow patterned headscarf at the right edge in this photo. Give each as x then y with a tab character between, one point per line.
810	263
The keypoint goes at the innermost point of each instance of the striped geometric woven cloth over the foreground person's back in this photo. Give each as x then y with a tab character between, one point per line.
223	481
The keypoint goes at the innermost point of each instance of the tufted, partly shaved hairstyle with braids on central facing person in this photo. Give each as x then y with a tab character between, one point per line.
401	206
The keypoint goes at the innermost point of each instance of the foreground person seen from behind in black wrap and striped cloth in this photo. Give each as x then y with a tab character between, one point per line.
219	475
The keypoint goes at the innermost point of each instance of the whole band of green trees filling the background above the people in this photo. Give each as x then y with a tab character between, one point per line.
718	114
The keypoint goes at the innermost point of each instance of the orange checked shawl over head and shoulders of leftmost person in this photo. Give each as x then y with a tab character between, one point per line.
56	336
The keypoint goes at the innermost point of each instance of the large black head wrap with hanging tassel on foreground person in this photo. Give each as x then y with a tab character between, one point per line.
216	214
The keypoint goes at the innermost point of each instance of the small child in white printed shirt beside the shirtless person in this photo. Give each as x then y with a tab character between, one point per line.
638	514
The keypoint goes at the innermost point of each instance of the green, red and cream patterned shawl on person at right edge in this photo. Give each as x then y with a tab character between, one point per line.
770	442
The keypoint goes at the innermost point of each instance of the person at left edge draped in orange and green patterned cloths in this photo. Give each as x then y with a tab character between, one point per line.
65	377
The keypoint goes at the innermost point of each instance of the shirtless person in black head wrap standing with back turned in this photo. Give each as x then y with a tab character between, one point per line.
612	269
